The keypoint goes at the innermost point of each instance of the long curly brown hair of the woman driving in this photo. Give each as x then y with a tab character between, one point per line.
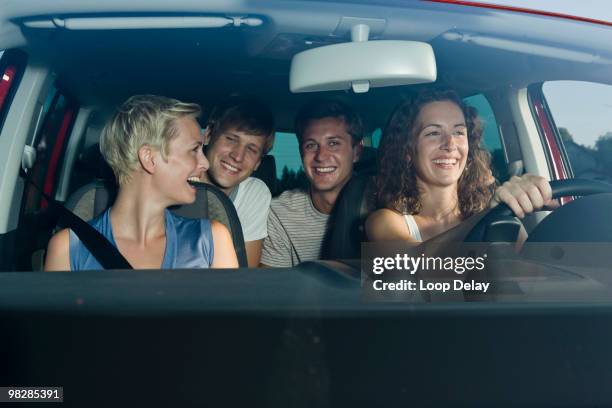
396	179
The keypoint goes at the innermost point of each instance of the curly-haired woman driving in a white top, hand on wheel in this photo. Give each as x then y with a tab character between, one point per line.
433	174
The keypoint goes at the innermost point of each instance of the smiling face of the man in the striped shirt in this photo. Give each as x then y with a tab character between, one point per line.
328	154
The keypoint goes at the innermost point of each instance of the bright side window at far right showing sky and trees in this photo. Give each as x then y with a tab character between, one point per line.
582	112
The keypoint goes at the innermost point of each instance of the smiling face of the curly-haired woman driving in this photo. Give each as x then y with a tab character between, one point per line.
441	143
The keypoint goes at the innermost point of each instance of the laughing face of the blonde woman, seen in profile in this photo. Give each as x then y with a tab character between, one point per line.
184	162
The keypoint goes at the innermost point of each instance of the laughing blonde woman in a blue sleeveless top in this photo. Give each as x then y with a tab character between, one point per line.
154	146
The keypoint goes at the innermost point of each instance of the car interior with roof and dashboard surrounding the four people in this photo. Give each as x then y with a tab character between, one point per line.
67	65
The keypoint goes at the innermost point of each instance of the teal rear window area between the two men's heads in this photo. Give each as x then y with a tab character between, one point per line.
289	171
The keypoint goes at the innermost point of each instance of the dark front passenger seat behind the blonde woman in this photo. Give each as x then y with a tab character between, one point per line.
93	198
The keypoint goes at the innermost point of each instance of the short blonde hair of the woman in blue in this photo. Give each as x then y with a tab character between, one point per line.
142	120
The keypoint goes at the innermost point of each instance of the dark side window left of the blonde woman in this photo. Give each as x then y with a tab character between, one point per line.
59	114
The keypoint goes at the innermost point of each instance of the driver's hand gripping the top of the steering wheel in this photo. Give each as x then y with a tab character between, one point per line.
525	194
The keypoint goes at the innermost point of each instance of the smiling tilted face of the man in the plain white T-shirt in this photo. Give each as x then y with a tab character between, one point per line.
233	157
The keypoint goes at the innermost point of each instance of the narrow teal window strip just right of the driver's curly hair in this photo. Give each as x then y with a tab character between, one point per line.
491	138
